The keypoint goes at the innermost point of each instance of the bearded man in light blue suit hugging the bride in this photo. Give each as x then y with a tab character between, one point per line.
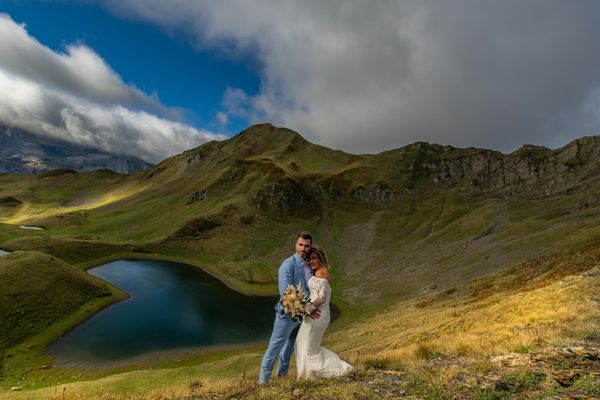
293	271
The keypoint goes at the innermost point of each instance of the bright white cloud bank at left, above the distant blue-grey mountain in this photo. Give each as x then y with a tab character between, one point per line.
77	97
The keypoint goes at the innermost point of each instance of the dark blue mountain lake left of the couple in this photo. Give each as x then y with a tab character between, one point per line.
172	306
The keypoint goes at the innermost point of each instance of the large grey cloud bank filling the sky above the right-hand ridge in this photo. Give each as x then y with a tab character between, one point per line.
371	75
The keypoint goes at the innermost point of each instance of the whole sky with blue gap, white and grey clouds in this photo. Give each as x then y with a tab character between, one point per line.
153	78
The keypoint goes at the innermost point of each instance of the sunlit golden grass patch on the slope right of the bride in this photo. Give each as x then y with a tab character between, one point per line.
550	301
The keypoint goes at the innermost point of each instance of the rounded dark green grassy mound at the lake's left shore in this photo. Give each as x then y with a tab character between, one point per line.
40	298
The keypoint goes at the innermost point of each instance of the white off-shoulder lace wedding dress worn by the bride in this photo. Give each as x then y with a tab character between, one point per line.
312	360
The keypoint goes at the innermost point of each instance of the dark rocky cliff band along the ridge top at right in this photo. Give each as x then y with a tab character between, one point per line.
532	171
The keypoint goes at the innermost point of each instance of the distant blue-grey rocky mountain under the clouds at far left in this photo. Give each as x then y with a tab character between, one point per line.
25	152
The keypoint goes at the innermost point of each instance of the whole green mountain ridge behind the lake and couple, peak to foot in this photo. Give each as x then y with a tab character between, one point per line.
423	213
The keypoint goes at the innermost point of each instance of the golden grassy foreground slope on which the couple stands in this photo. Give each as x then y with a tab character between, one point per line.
432	345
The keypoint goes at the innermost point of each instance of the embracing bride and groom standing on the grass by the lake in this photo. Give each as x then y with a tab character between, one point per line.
307	268
